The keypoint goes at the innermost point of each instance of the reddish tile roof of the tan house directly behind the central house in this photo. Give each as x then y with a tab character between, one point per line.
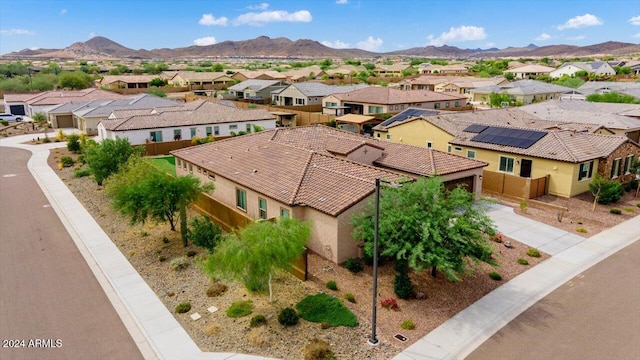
387	95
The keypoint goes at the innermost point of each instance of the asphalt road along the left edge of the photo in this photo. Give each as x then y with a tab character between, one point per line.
48	294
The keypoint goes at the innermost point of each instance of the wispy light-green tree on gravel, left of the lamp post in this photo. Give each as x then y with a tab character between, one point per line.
254	253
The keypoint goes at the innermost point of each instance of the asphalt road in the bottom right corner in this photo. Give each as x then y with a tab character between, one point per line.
596	315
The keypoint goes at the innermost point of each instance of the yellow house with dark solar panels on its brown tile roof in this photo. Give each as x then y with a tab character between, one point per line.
567	153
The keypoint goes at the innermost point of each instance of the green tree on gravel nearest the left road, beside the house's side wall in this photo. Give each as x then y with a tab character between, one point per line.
140	192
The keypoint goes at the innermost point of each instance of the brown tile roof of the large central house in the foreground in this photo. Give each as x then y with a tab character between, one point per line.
296	166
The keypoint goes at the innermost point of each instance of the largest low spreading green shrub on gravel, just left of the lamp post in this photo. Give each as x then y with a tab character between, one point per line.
326	308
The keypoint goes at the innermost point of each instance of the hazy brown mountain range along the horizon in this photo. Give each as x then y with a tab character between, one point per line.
101	48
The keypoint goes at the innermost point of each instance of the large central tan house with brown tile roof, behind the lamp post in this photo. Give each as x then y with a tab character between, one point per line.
315	173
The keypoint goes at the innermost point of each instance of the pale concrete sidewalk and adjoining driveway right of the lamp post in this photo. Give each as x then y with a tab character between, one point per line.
463	333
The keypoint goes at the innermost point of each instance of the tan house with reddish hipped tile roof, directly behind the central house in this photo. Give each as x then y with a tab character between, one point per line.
379	100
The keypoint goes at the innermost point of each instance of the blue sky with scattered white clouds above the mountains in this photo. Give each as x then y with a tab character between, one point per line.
375	25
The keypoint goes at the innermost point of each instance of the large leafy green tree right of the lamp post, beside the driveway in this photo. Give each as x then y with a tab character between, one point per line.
429	226
